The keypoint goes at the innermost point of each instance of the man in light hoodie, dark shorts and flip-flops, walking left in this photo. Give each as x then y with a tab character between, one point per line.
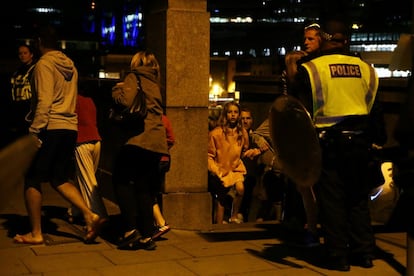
54	122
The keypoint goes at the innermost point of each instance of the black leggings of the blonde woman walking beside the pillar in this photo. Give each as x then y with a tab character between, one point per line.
136	183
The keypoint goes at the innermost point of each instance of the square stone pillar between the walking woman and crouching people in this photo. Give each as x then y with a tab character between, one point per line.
178	32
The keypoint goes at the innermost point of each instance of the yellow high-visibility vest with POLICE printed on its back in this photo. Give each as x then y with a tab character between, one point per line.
342	85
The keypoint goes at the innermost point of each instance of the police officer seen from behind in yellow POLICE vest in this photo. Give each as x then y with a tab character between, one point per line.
339	91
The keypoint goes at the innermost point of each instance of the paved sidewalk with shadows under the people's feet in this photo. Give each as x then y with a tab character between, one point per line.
246	249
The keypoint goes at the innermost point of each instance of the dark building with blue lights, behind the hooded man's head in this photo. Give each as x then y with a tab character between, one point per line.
116	25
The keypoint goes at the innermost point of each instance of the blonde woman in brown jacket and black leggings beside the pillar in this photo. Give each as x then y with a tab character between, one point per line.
136	174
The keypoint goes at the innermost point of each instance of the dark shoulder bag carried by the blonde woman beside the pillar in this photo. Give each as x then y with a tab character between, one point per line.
136	112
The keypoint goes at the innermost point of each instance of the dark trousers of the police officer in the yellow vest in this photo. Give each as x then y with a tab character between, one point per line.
343	194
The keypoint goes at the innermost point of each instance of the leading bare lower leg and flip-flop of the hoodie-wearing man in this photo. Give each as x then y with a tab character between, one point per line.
33	201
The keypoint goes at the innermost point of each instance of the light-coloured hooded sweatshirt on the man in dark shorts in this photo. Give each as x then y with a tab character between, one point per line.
54	83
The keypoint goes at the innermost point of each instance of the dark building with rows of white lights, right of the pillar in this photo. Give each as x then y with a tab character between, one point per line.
267	29
